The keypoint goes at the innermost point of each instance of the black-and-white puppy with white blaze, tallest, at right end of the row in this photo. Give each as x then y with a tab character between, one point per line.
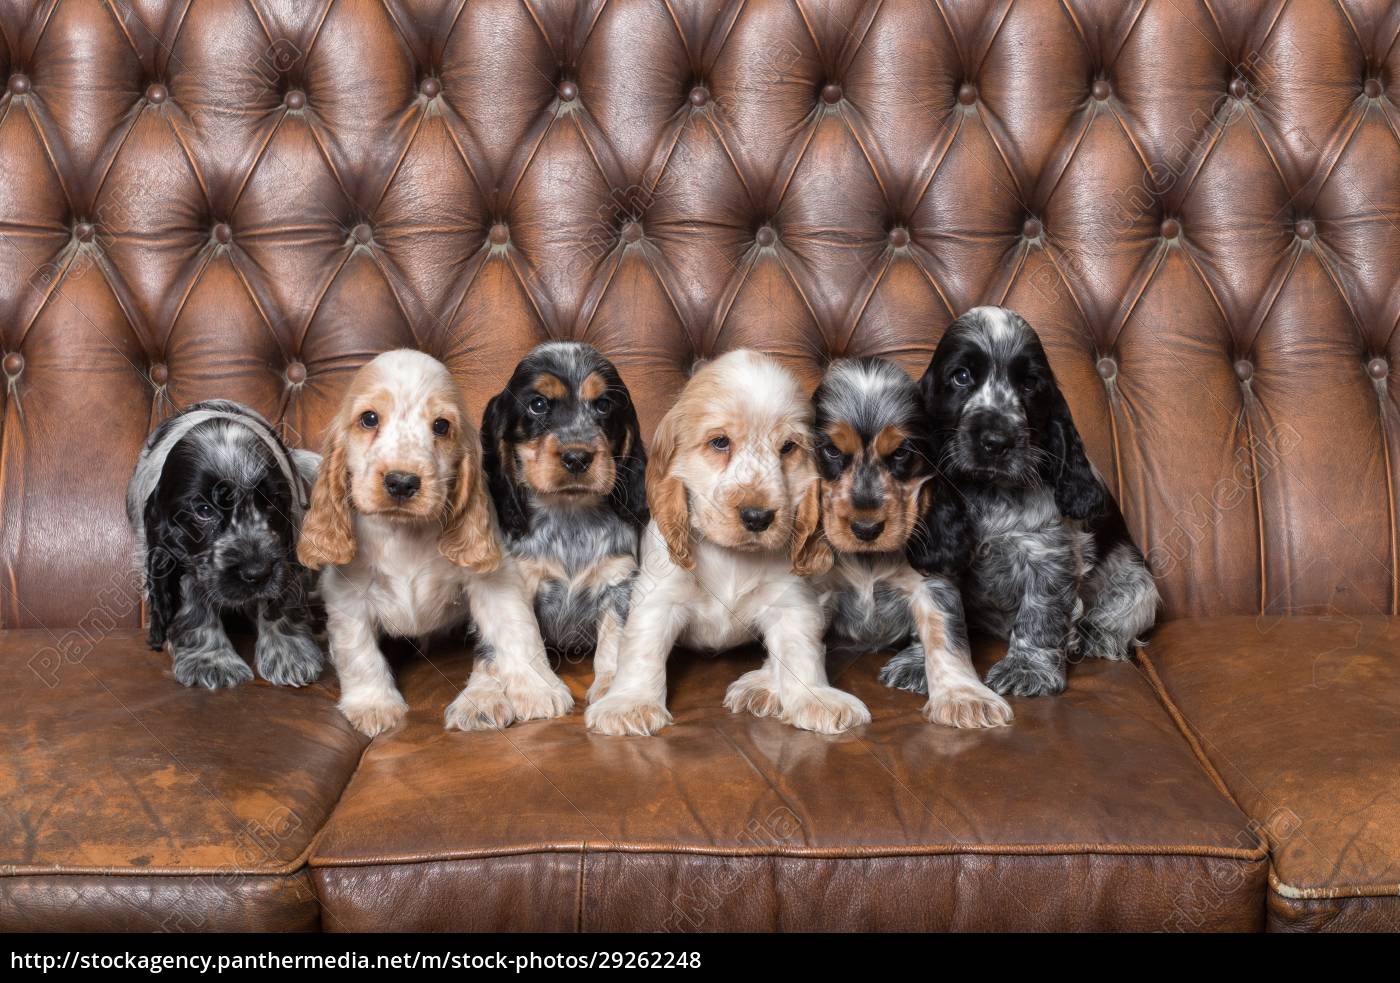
1055	571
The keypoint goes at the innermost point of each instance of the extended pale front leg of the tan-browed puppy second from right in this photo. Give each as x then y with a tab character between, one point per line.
957	697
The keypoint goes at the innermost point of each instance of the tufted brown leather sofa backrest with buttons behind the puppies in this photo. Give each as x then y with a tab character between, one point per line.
1195	202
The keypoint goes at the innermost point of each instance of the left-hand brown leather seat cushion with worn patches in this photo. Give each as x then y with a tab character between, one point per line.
132	803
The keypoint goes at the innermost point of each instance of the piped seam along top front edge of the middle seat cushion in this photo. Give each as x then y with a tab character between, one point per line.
853	853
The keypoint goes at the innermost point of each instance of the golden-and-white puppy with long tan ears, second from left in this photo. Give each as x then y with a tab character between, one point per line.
402	526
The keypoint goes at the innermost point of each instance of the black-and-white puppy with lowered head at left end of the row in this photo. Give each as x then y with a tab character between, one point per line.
216	502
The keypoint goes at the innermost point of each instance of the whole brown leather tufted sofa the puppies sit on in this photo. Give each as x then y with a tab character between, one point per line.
1195	202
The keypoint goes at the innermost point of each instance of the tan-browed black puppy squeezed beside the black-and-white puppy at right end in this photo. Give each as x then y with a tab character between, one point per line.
883	503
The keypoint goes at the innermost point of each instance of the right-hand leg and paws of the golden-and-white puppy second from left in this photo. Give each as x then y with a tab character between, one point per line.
512	653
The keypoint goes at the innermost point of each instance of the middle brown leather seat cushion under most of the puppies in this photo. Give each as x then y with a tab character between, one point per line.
1088	813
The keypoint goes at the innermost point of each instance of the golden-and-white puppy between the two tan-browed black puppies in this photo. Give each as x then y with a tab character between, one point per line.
734	534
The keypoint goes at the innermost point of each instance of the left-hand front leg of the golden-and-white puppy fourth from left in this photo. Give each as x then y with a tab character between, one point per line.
636	702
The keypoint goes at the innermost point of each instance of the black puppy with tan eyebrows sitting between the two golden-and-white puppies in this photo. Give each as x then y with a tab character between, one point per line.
565	463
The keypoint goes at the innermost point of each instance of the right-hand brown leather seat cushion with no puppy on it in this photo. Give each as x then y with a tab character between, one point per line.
1297	719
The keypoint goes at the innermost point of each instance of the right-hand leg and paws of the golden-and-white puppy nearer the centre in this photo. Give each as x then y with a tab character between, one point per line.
794	674
